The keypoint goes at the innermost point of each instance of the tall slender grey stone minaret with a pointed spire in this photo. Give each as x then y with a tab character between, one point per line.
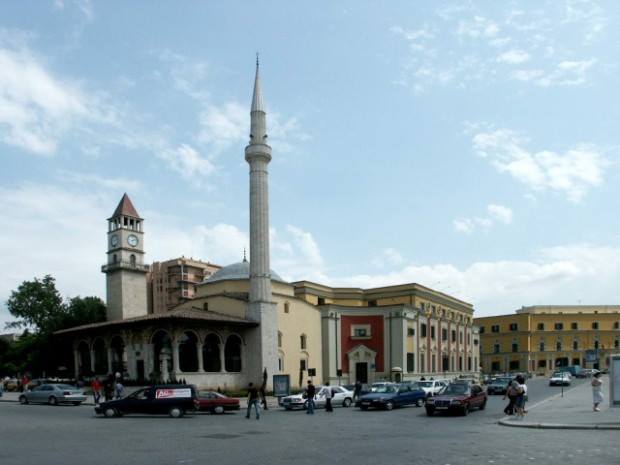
264	351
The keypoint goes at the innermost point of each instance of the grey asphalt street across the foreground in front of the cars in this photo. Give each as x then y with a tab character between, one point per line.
68	435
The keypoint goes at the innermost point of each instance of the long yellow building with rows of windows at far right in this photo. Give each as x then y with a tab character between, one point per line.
540	338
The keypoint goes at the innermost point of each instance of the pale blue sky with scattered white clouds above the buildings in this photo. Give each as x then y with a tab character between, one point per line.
468	146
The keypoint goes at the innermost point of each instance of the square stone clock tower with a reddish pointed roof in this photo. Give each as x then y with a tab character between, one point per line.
125	270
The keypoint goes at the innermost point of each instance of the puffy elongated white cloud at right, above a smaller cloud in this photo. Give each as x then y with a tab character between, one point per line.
572	173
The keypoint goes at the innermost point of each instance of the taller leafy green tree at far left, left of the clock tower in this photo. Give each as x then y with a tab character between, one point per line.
37	303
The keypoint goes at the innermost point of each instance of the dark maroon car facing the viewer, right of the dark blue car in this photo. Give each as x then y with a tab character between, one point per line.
457	397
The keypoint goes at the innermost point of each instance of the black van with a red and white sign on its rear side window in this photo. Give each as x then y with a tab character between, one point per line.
172	399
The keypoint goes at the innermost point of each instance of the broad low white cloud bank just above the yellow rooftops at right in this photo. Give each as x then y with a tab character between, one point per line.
561	275
